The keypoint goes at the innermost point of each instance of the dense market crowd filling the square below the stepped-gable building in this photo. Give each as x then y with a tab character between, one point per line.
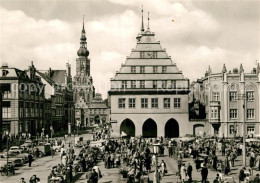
137	158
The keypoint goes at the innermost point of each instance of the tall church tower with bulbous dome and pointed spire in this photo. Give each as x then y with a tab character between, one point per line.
82	81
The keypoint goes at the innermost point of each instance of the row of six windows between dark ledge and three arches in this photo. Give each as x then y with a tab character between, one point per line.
154	103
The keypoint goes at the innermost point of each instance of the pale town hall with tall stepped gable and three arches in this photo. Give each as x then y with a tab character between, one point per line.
149	94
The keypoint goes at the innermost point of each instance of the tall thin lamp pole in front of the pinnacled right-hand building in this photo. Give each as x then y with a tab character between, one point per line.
244	98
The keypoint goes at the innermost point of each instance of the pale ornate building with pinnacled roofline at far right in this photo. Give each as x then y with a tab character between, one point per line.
230	98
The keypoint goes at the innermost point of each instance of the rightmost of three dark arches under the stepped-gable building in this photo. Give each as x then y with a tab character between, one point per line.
172	129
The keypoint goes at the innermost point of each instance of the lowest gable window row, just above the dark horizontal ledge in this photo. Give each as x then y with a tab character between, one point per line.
142	83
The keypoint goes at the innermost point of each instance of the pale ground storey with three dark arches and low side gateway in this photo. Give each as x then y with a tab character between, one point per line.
154	125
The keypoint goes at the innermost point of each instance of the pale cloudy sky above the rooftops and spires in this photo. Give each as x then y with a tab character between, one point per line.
203	33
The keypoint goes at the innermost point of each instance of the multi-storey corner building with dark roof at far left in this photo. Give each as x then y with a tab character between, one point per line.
23	101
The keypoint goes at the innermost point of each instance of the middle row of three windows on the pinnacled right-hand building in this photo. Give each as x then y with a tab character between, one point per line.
232	114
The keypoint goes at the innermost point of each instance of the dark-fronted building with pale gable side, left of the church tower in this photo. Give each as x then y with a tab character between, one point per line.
59	99
